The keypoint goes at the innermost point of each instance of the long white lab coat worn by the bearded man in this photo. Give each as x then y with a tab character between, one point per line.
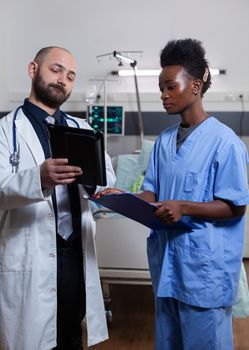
28	248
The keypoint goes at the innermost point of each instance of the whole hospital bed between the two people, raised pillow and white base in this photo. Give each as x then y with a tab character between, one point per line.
121	242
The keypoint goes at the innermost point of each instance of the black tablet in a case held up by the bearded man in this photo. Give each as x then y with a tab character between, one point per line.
82	147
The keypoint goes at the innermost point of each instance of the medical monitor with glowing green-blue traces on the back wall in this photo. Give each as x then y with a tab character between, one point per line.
115	119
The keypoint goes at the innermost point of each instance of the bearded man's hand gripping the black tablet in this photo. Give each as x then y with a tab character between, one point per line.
57	172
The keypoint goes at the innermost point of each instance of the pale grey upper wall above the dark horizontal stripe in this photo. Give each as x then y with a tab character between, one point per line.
91	28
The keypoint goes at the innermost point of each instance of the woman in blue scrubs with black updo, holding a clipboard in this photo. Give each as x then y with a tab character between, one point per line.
197	174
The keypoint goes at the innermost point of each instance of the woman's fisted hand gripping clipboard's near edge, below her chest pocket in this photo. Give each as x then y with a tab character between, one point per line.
169	212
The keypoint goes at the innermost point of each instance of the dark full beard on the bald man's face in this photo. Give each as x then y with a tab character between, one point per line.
51	95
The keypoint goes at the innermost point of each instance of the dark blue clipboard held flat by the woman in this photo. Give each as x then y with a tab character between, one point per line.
135	208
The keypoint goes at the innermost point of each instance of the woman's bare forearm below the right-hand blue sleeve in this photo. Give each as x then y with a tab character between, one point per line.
216	209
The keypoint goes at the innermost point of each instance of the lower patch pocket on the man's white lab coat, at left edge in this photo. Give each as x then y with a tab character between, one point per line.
16	250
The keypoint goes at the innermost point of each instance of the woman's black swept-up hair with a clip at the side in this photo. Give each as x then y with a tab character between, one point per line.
190	54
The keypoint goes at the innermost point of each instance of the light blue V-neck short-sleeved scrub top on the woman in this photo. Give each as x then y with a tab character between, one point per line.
200	267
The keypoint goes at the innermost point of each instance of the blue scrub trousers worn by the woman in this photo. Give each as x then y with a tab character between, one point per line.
180	326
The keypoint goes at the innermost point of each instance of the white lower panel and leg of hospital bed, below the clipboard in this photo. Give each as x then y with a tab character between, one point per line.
121	252
